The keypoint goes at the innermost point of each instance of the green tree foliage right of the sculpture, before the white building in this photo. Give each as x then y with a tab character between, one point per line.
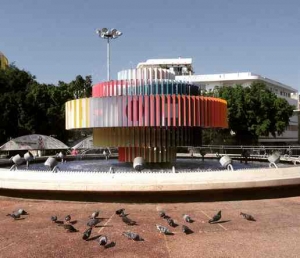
255	111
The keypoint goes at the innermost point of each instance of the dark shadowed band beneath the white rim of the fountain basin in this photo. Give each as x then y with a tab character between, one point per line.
159	197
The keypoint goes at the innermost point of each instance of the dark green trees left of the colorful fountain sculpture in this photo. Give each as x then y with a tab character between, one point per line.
30	107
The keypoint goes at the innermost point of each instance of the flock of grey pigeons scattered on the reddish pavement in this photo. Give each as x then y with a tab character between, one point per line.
94	220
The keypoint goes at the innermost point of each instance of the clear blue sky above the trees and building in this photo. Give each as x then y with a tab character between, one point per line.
56	40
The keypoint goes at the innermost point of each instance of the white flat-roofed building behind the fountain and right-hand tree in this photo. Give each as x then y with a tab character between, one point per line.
183	69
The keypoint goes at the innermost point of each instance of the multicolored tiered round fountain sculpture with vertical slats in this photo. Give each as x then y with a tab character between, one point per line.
146	113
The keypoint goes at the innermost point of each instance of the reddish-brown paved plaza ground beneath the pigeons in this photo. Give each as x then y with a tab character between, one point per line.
276	232
